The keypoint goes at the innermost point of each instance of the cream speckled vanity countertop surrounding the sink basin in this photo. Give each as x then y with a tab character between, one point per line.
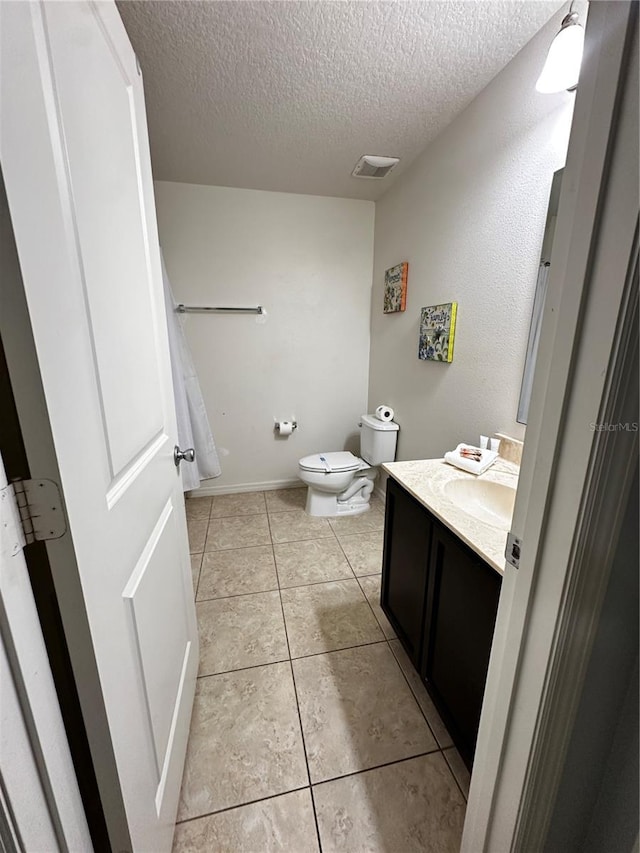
425	479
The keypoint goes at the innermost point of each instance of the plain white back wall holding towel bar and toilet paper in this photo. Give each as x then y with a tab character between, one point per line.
308	260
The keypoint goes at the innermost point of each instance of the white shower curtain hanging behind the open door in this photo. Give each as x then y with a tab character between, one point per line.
193	423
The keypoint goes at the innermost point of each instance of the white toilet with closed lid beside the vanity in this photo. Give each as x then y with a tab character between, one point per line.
340	483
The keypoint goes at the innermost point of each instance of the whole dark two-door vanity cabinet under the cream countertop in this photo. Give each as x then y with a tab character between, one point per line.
442	600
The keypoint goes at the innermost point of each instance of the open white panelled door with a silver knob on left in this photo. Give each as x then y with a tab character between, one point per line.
75	158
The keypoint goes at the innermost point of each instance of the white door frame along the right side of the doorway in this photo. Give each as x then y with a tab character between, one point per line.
574	478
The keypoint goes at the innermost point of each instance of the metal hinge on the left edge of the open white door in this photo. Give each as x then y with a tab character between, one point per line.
39	509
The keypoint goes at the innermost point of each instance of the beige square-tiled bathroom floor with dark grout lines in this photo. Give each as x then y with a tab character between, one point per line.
311	730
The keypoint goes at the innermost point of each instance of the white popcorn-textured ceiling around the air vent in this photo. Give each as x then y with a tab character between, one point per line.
288	95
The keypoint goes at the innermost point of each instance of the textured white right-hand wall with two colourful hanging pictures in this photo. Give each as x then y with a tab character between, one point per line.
469	217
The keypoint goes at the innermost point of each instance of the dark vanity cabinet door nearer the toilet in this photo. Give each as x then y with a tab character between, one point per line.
404	566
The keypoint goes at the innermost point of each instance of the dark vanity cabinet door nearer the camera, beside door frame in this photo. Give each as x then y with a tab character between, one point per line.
462	601
